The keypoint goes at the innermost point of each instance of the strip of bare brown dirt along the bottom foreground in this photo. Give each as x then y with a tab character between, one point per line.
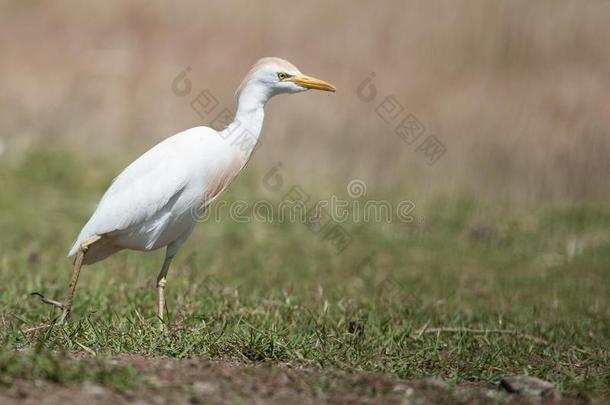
199	380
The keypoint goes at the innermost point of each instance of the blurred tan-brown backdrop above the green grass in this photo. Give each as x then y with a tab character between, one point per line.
516	91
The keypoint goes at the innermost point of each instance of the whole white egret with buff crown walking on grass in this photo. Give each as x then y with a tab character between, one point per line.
151	203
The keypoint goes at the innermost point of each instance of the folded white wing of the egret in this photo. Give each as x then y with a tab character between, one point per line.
141	197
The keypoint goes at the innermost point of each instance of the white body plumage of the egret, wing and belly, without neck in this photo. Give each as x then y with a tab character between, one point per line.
149	204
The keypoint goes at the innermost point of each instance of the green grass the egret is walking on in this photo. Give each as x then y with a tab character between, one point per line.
278	293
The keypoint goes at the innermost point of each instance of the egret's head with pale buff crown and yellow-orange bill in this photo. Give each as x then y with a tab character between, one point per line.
271	76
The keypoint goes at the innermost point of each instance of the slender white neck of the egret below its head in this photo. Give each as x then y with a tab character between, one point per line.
245	130
